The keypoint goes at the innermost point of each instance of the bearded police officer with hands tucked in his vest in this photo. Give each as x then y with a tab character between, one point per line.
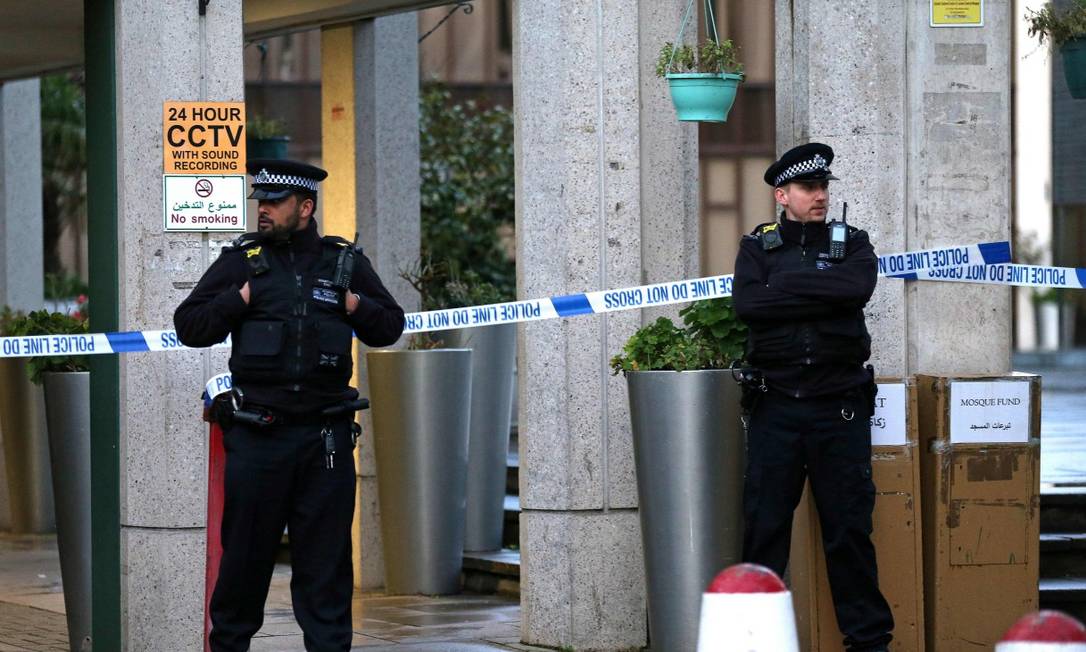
291	300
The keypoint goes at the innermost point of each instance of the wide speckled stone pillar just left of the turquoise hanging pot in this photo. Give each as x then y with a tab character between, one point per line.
607	197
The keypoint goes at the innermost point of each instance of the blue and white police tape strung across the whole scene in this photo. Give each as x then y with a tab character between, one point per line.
988	264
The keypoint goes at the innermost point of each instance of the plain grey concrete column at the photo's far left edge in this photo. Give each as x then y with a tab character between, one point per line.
21	247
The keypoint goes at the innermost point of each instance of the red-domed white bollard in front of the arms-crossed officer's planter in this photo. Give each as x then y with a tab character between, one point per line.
748	608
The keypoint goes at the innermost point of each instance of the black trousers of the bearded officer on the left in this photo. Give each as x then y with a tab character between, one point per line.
276	478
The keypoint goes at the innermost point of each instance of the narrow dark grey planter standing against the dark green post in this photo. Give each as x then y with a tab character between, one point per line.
68	410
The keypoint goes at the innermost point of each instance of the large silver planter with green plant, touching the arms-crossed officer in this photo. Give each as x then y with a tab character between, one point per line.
690	454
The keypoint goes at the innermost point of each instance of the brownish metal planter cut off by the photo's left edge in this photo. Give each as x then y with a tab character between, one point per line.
27	450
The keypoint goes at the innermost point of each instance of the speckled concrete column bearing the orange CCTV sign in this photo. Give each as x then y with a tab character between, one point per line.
166	52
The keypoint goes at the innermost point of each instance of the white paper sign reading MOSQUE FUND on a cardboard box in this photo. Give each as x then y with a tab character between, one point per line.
990	411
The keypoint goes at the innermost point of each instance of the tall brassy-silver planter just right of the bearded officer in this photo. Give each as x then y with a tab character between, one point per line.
420	403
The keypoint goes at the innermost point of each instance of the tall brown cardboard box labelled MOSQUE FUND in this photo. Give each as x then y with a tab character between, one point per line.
980	477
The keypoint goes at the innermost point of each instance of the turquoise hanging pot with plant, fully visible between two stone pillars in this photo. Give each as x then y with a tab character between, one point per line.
703	81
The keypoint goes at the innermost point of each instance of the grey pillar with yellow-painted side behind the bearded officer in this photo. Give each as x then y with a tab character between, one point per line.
371	145
